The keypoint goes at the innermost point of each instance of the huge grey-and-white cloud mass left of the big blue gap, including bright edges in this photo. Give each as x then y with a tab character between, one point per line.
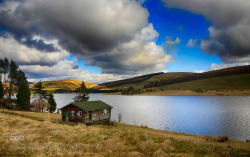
113	35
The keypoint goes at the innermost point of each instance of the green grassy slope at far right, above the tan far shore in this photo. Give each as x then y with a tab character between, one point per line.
234	82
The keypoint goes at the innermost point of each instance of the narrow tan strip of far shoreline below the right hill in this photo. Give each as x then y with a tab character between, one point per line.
242	92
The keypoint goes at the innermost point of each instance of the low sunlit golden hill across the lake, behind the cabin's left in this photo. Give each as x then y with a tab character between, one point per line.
63	85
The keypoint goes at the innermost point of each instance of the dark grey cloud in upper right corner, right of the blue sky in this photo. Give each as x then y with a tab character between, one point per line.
230	33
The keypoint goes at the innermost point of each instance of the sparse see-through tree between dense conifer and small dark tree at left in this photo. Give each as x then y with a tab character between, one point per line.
42	96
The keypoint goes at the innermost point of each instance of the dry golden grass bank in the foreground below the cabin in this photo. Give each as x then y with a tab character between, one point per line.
56	138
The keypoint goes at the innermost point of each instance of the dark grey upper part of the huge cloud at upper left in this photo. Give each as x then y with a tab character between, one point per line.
82	26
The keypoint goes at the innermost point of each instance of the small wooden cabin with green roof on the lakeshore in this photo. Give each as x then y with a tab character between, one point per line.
87	112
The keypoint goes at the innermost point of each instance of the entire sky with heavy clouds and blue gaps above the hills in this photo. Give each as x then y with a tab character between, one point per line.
107	40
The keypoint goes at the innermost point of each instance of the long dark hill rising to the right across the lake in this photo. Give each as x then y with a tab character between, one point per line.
161	80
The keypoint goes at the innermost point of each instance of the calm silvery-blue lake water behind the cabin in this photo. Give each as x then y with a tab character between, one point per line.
206	115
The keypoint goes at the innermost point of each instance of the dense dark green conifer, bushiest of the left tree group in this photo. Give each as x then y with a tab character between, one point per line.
23	97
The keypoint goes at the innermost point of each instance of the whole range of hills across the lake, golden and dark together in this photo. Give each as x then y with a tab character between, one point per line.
235	78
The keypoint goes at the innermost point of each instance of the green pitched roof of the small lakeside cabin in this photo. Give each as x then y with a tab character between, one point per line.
90	105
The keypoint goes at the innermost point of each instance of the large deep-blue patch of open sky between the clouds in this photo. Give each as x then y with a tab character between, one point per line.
185	25
